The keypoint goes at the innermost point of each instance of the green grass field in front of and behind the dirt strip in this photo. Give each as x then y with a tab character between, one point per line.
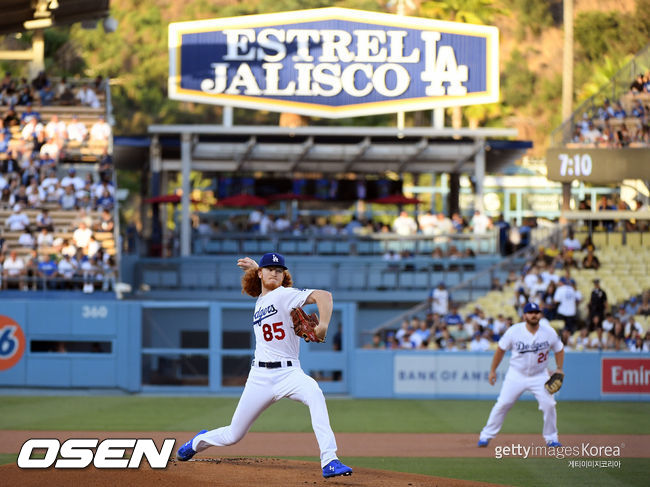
147	413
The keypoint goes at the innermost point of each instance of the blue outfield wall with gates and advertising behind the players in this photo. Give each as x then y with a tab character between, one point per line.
170	347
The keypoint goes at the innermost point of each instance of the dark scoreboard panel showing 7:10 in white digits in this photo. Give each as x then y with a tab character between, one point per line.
597	165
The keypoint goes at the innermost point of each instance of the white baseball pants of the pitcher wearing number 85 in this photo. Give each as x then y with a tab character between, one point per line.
263	388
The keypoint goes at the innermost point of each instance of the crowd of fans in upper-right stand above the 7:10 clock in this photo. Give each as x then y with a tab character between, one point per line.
622	123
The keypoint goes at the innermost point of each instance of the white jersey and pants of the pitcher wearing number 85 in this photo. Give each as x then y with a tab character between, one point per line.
276	343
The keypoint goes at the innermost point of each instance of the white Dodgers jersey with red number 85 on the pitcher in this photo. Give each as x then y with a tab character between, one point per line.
274	336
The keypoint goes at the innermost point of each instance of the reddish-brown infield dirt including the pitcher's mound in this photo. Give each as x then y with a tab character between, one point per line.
212	468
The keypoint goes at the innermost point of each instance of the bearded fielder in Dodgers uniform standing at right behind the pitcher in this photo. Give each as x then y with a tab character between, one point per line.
531	343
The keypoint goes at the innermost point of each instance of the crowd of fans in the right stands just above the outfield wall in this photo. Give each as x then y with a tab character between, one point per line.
545	280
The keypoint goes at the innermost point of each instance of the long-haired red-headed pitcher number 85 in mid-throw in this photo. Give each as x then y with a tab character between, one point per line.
275	372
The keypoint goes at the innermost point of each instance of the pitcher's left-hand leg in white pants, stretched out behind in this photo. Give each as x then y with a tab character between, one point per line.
257	396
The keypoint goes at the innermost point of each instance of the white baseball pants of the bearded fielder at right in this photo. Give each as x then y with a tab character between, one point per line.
514	386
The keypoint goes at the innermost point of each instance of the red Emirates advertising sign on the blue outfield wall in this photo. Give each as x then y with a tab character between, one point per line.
625	376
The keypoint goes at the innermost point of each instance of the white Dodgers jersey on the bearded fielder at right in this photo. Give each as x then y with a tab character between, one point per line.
530	351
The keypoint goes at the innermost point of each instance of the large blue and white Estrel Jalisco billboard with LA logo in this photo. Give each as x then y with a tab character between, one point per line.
333	62
